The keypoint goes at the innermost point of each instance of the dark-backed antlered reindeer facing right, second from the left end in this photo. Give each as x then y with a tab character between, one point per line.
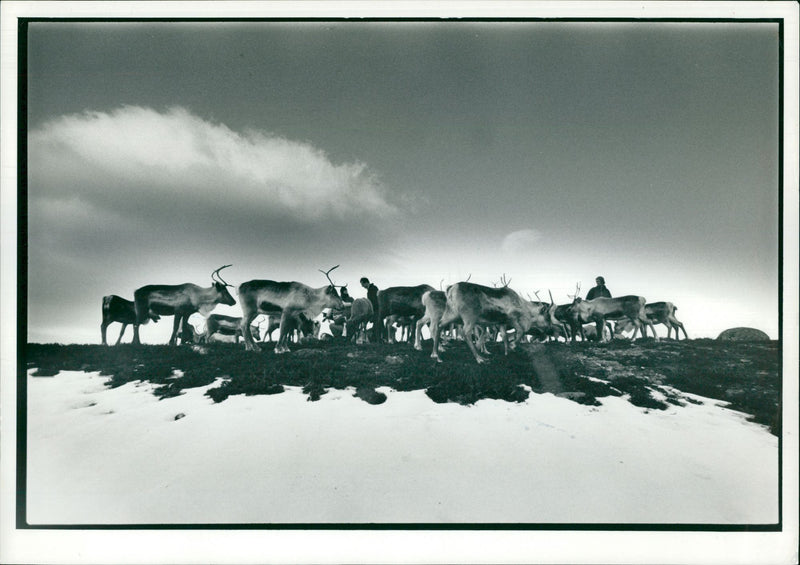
180	301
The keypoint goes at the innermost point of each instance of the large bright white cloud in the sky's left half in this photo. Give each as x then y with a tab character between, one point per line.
133	154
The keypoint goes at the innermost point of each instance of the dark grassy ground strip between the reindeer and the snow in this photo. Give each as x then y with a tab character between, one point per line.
745	374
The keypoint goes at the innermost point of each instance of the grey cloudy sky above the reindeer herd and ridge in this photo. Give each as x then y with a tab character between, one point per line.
416	152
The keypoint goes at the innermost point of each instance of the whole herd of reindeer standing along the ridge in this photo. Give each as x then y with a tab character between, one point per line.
480	312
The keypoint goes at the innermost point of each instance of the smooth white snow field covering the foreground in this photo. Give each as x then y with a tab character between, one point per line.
120	456
